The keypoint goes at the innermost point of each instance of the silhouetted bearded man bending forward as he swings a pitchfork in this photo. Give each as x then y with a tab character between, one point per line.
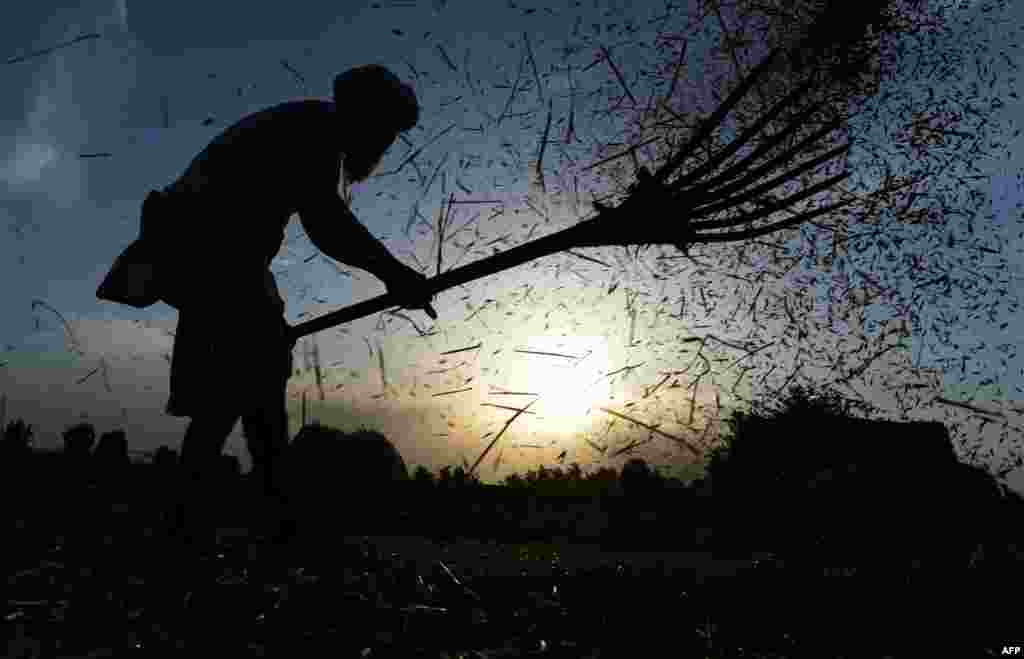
225	222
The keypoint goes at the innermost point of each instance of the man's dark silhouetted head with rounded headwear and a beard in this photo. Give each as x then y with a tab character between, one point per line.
376	107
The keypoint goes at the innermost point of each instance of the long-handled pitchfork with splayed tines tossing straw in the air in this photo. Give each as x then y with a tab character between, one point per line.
691	197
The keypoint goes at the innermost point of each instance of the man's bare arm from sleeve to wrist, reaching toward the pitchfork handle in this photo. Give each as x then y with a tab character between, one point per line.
336	233
